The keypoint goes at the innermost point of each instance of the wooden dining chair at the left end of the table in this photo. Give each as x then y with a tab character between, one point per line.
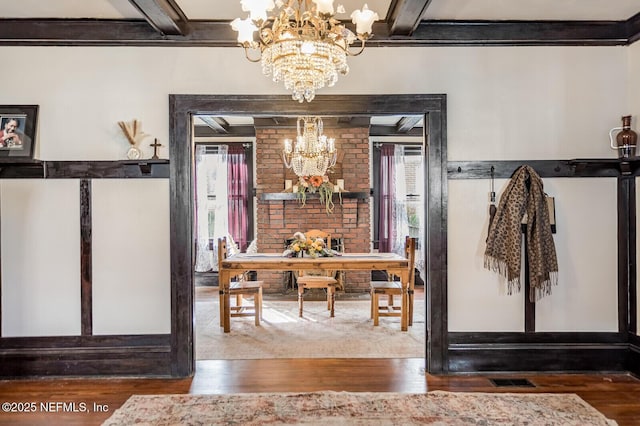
240	288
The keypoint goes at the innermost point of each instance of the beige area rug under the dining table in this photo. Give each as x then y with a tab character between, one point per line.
282	334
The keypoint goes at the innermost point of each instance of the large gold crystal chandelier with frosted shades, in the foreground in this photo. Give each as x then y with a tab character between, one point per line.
302	44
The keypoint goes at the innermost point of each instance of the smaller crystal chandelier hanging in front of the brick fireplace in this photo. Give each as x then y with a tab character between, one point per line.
313	152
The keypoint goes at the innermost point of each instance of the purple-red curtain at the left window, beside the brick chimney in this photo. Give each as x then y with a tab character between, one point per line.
237	186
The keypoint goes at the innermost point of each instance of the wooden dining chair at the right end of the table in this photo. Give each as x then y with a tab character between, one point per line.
392	288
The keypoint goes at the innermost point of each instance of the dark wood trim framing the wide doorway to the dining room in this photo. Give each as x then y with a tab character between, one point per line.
181	110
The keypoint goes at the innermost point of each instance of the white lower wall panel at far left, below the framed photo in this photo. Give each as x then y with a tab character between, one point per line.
40	240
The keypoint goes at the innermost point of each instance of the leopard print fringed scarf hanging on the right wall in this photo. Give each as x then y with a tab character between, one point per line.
524	194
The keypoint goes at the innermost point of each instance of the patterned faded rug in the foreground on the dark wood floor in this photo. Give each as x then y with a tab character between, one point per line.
343	408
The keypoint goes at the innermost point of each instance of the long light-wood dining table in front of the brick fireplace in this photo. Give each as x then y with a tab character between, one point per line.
242	262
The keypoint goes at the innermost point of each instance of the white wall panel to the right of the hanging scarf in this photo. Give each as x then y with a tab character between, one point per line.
586	298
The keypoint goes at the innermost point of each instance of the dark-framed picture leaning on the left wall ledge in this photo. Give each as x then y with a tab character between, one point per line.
17	132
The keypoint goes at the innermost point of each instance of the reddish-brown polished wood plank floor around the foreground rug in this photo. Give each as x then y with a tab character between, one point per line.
616	395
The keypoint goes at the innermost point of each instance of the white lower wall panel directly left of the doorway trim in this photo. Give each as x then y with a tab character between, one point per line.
131	269
